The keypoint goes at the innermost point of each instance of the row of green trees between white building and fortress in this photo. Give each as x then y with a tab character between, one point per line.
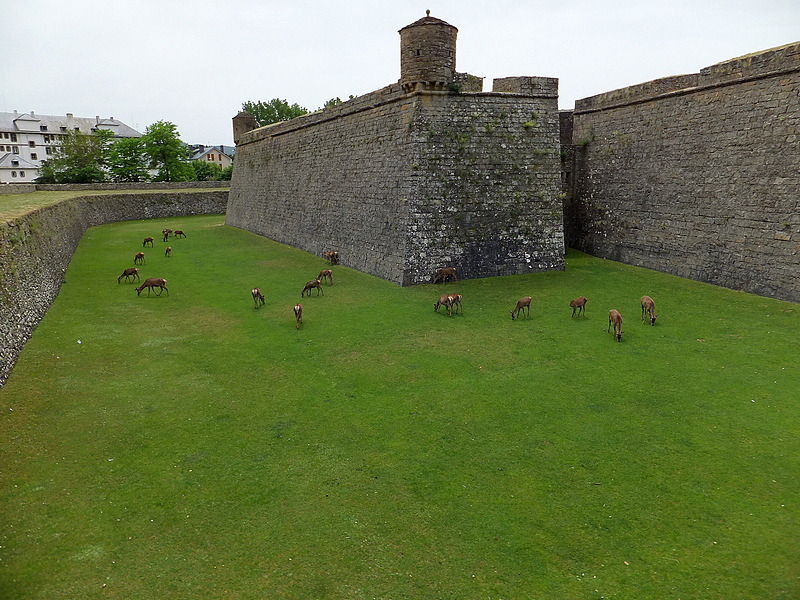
158	155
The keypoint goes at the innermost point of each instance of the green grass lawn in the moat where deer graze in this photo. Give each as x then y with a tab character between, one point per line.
190	446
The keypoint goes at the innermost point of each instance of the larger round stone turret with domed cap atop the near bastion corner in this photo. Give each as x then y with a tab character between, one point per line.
427	54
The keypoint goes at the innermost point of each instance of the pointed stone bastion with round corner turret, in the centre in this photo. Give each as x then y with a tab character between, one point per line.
422	174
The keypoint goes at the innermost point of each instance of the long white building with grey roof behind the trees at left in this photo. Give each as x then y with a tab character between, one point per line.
27	139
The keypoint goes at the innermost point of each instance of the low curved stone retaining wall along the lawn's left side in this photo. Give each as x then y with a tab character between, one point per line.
35	251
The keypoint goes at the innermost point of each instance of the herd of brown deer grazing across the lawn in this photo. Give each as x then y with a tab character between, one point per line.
452	303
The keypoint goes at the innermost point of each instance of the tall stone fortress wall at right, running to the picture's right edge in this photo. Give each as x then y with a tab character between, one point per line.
695	175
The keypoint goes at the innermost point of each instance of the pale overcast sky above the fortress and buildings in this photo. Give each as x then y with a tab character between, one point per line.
194	62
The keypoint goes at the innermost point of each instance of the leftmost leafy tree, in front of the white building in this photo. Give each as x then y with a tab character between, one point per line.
79	158
